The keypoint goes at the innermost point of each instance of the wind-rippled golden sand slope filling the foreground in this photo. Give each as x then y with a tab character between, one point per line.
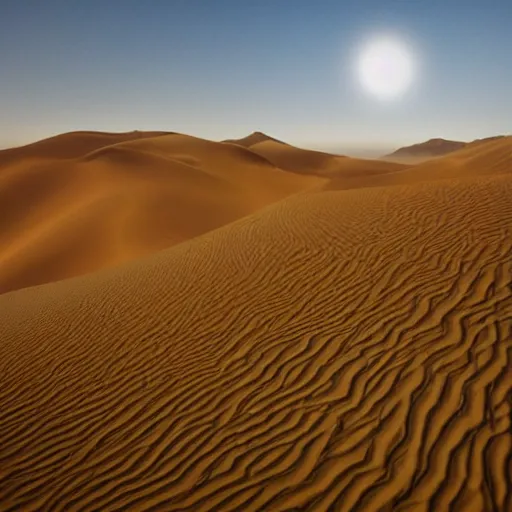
346	350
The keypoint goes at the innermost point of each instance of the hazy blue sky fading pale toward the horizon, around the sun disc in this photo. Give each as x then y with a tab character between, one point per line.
224	68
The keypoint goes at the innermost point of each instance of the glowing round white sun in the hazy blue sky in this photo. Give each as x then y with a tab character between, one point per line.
385	68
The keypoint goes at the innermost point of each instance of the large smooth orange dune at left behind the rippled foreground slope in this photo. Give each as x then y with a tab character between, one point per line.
66	217
